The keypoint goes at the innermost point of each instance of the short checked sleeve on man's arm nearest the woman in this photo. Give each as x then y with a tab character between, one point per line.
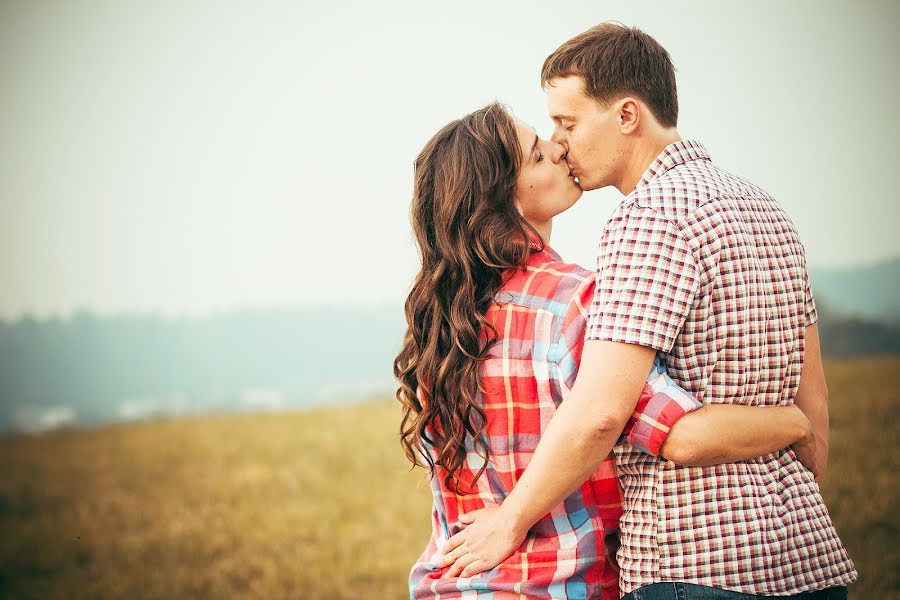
647	281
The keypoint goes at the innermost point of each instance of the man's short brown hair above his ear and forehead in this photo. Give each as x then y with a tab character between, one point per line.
616	61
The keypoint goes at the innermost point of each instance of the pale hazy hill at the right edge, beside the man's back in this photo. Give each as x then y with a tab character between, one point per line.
871	292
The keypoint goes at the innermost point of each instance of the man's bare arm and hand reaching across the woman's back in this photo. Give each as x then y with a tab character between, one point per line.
578	438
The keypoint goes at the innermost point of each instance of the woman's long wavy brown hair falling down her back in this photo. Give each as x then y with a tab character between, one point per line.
469	234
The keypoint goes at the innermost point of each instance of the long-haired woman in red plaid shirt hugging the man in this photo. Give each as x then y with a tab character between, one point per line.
496	322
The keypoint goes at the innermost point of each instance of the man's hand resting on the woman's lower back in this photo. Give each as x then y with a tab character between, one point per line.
489	539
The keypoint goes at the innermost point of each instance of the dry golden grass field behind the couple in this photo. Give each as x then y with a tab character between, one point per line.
321	504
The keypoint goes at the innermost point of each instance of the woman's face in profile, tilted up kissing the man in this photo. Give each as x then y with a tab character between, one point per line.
545	186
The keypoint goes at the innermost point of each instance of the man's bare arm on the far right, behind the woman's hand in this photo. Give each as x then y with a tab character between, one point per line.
812	399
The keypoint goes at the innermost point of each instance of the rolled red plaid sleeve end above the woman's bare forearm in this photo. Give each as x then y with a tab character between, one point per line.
661	404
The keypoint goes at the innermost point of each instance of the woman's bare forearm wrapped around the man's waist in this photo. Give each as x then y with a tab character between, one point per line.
725	433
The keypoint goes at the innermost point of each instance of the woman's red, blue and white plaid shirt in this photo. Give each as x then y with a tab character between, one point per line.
540	316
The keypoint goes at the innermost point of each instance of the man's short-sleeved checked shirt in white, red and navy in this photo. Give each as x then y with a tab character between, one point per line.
706	268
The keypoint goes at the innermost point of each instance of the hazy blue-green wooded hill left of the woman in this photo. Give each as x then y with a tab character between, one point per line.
92	369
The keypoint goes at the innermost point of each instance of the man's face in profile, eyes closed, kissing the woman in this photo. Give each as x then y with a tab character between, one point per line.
588	130
